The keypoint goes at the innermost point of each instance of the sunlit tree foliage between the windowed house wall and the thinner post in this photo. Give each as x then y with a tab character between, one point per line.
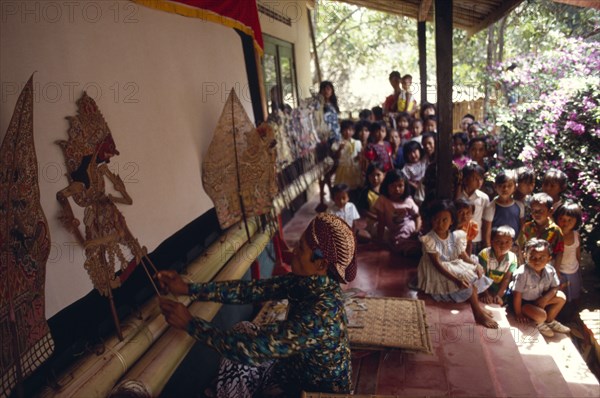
359	47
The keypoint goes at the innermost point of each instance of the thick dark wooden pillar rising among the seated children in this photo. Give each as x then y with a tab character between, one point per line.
443	55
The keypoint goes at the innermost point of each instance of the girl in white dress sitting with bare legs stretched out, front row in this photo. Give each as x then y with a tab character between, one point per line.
445	270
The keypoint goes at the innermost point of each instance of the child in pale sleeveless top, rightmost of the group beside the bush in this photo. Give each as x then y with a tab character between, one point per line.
568	217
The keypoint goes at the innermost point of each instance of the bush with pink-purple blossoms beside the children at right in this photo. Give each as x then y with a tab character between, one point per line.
553	121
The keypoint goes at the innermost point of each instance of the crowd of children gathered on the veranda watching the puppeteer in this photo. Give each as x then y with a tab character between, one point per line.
470	248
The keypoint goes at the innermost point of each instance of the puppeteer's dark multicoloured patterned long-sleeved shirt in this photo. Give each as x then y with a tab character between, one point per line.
311	345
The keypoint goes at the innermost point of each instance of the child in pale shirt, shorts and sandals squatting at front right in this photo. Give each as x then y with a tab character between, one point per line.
536	293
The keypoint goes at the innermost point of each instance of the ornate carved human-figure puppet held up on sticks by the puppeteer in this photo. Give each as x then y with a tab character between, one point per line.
107	239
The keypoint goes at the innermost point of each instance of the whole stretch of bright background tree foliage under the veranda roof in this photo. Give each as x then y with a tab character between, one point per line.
358	47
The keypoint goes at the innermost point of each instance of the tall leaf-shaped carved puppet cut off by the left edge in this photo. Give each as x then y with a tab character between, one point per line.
25	338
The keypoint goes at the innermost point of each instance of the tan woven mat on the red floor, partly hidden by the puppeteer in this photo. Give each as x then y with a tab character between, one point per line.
373	322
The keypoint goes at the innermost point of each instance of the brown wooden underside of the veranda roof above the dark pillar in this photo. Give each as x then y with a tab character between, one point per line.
469	15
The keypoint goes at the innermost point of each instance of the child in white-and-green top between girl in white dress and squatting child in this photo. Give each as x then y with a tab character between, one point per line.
499	264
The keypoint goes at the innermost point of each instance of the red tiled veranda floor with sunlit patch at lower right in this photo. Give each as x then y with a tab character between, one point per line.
467	360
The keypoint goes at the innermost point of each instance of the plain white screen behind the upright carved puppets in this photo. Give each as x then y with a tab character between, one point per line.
160	81
